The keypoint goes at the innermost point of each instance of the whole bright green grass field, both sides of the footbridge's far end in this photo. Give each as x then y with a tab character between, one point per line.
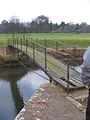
68	39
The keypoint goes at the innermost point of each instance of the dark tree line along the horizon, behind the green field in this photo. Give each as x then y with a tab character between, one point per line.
41	24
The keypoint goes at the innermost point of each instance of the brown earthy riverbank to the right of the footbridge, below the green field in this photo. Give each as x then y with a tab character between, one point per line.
75	55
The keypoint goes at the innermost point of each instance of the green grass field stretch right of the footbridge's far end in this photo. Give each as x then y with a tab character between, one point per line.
68	39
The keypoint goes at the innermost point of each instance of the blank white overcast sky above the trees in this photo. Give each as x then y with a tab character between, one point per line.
75	11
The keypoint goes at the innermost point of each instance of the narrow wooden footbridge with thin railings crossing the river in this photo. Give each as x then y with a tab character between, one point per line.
57	70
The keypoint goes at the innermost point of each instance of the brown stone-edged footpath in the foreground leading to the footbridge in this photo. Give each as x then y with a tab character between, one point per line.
50	102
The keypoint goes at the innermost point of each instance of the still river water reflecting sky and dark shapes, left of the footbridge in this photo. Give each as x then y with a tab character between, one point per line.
17	85
